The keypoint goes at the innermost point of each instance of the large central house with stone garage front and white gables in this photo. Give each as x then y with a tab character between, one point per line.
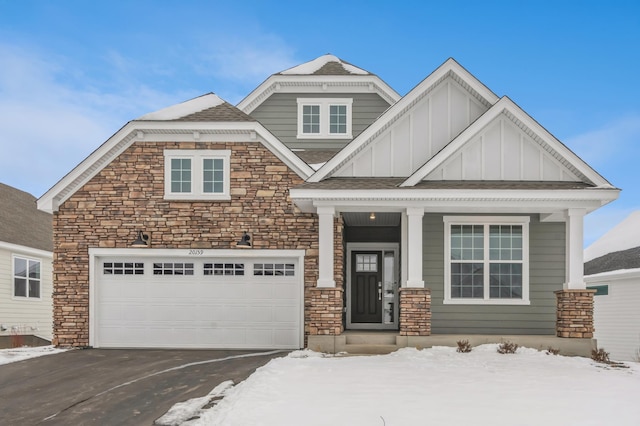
327	211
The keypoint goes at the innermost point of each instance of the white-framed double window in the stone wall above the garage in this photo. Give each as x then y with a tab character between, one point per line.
196	174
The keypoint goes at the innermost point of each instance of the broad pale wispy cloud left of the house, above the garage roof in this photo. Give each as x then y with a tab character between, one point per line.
49	121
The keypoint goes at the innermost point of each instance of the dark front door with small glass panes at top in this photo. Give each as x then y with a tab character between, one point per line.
366	287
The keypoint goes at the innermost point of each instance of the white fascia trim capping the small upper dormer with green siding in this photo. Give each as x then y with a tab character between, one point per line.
248	104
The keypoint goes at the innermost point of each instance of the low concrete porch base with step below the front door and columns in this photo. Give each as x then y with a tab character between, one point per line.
384	342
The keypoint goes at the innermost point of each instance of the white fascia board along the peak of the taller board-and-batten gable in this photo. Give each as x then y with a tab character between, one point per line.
390	114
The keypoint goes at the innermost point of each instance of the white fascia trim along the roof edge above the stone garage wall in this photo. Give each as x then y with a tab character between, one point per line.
103	155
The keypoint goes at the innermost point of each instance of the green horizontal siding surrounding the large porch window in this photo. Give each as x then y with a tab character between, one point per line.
546	275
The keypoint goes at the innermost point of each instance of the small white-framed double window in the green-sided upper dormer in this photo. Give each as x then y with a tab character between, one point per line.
325	118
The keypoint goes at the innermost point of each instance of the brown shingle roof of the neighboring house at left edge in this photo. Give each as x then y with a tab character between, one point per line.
21	222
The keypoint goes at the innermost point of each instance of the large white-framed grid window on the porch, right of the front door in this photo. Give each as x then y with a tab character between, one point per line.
486	260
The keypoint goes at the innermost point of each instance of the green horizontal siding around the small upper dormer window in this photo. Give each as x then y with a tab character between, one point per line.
279	114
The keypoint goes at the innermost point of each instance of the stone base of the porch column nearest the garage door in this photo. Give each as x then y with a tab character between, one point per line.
323	311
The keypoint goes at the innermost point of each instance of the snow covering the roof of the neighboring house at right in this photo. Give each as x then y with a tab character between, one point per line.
623	236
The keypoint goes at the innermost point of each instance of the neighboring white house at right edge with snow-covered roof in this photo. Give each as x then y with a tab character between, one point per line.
613	269
